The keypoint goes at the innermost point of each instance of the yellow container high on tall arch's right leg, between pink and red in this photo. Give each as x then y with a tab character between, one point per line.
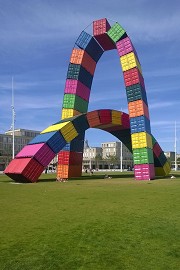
129	61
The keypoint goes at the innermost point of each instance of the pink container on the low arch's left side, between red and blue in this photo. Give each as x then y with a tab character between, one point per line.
41	152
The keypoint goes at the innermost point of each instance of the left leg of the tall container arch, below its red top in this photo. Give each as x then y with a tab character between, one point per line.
76	96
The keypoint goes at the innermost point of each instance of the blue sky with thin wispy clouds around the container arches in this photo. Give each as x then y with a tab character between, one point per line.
37	37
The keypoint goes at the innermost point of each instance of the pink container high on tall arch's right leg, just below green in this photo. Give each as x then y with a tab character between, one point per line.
125	46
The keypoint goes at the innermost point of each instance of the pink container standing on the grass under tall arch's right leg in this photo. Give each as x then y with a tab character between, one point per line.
144	171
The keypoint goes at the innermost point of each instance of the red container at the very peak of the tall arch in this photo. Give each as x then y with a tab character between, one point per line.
100	28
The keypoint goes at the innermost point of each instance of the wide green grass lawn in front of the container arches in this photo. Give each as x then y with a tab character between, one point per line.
90	223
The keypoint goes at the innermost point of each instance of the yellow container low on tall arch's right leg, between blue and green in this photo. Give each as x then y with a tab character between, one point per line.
141	140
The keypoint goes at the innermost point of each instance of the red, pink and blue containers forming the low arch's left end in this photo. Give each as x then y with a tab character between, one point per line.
30	162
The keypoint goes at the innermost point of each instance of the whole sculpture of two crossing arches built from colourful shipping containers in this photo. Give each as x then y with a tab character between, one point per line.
67	136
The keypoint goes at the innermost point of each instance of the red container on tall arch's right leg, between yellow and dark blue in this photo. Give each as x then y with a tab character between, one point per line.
133	76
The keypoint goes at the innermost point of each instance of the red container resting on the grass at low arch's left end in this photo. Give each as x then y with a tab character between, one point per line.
24	169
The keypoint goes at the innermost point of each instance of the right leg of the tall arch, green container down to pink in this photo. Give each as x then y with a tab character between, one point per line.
137	104
